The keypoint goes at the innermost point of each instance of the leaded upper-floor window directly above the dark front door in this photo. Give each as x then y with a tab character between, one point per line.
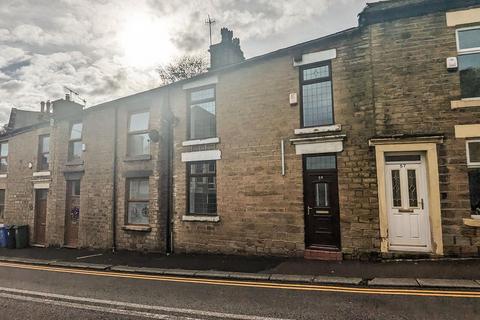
317	100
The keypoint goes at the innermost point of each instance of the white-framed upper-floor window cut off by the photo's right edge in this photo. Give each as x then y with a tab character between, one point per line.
468	46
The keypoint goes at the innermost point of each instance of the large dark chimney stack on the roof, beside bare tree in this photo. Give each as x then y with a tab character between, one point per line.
227	52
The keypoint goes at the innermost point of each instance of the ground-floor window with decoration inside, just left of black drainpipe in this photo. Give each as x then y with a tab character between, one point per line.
137	201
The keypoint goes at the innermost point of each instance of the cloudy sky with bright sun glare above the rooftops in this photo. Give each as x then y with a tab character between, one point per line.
105	49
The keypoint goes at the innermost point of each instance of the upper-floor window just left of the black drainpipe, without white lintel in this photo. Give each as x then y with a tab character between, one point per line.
138	143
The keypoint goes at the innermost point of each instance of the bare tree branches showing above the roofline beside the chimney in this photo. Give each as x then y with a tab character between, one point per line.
182	68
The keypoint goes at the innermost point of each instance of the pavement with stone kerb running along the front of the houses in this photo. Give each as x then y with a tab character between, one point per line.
434	274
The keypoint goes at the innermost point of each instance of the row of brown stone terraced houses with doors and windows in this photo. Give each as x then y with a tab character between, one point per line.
360	144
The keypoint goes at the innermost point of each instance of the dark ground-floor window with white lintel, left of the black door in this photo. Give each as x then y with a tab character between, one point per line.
202	187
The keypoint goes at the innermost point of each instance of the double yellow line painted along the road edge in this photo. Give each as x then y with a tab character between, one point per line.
251	284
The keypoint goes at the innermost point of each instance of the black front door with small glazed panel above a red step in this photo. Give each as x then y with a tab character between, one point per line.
322	216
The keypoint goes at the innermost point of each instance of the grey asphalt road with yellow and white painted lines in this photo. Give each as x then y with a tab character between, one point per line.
36	292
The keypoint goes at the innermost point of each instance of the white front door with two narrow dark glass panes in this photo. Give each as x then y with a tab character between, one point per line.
407	203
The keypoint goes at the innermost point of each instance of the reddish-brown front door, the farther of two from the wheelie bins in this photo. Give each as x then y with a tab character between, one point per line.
72	213
